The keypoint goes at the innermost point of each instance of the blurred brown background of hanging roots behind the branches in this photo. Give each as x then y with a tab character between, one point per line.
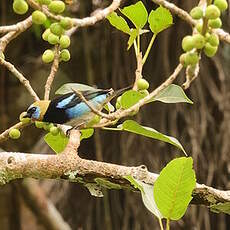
99	57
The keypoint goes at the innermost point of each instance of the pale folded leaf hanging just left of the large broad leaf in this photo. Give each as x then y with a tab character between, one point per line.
146	194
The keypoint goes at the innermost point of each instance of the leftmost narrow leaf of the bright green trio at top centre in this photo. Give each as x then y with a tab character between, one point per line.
118	22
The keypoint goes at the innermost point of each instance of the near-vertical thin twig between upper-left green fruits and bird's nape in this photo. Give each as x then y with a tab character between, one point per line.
53	71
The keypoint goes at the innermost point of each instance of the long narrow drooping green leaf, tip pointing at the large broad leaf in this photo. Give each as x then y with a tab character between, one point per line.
134	127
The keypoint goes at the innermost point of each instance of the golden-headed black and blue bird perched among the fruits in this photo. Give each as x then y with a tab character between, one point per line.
69	108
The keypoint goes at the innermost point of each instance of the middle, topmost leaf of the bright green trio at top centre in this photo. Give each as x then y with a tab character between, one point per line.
137	14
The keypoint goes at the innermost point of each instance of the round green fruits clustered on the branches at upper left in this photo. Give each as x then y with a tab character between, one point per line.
55	34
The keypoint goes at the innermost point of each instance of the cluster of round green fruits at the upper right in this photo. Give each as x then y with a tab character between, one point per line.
204	39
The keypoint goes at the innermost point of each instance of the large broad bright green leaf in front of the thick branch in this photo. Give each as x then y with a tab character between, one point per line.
173	188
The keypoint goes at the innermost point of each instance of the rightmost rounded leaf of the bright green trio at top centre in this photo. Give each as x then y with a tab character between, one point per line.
160	19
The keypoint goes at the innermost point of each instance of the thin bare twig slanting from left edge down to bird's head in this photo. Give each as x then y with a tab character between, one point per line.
20	77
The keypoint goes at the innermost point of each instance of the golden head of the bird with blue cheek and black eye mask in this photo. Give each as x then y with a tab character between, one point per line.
37	110
